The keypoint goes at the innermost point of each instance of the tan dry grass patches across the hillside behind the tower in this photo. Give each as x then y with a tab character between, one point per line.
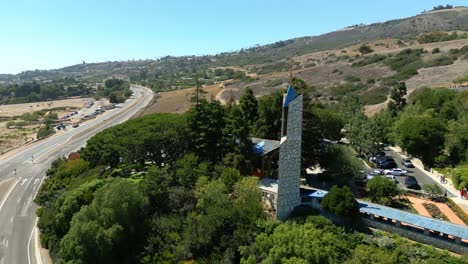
327	69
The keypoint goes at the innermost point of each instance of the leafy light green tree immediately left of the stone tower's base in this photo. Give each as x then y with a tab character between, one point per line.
222	220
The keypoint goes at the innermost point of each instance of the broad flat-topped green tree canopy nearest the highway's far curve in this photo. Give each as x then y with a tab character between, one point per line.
159	138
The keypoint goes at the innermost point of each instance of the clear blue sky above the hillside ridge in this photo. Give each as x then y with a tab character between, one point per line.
48	34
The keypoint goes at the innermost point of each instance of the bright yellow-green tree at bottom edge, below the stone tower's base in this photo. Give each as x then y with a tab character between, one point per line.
315	241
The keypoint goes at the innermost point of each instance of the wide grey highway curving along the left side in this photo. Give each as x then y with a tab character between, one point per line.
18	232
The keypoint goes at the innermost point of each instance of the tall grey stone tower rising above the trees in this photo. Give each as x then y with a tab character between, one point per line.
289	177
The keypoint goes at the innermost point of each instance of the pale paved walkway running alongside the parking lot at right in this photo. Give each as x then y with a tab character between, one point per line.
455	194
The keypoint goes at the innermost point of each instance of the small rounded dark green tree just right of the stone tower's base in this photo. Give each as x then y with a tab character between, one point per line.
340	201
